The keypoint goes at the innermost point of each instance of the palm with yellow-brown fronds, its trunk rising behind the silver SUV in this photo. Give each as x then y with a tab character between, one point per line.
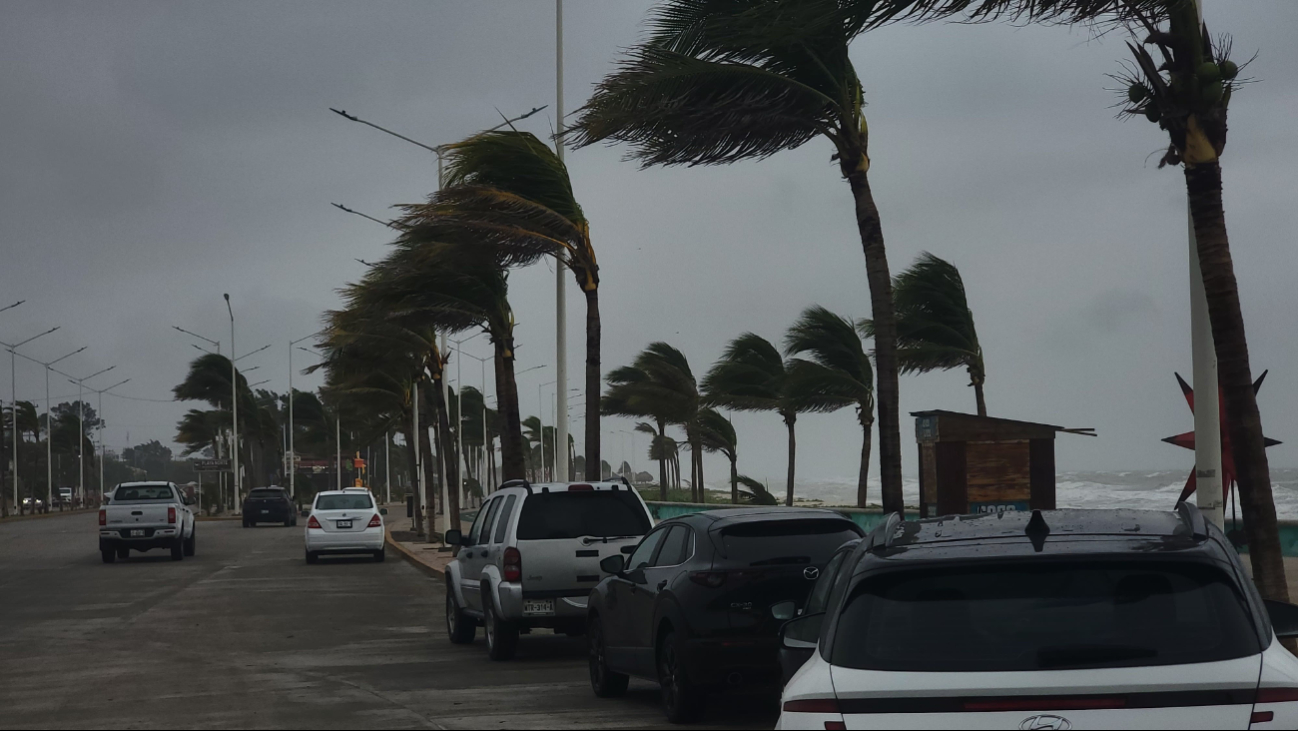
509	194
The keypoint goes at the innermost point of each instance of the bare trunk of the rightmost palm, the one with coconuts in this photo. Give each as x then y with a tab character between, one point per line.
1204	184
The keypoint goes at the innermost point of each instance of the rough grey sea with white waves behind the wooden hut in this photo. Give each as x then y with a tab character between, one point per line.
1127	489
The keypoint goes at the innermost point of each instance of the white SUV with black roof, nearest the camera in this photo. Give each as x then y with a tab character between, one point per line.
1051	620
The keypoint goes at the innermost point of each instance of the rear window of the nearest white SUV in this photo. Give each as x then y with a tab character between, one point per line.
1052	616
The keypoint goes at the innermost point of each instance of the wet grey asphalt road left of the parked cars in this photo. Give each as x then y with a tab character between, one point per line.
247	636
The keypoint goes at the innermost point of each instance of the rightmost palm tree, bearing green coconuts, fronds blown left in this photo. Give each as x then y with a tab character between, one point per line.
1188	95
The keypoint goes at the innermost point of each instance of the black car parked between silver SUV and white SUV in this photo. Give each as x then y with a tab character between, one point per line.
699	604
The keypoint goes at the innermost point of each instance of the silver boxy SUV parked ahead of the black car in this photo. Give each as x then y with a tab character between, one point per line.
533	558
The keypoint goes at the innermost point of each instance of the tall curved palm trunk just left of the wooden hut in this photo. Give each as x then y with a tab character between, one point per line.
887	393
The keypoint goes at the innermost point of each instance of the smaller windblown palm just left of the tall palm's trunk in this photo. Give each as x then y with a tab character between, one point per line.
837	375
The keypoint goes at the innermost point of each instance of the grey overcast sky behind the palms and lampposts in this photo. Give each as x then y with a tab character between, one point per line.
156	155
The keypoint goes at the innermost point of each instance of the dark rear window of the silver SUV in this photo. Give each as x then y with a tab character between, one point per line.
576	515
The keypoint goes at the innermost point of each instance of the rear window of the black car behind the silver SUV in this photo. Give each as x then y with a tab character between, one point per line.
774	543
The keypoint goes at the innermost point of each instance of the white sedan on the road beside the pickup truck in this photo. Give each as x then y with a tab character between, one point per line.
346	521
